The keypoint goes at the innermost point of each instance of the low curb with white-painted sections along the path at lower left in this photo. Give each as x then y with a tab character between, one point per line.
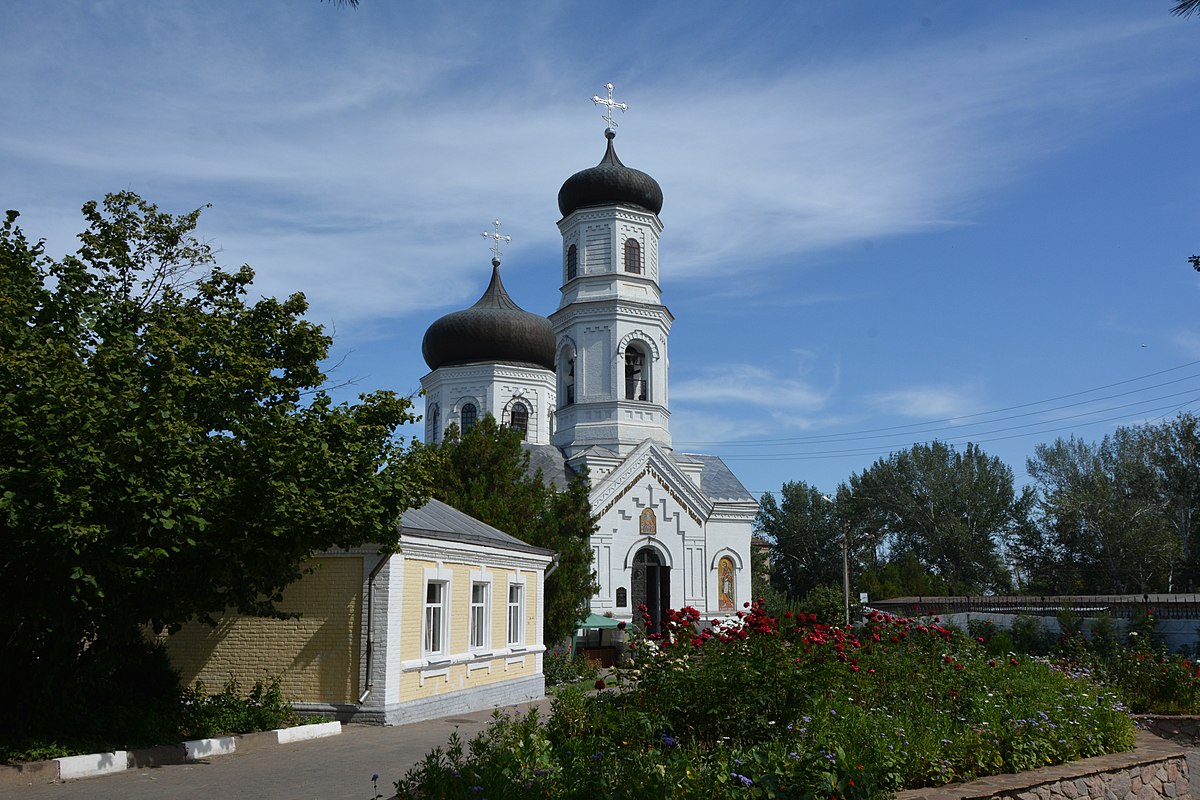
91	766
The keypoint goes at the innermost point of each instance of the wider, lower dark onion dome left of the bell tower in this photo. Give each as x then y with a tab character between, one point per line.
495	329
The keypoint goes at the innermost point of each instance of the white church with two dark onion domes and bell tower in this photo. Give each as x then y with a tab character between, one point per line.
590	387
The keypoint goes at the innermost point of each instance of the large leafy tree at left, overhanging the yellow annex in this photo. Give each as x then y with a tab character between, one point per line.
165	449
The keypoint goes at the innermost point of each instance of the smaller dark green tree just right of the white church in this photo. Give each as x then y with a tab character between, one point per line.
803	530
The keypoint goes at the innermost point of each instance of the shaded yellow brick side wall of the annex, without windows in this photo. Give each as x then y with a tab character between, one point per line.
316	657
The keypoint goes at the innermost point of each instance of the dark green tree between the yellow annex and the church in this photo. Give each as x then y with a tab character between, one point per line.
485	472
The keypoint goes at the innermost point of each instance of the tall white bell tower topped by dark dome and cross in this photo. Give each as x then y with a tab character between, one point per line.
611	327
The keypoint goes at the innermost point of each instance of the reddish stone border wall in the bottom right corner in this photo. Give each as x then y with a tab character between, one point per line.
1153	769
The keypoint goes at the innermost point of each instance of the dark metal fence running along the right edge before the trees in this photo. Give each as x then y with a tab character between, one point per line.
1175	606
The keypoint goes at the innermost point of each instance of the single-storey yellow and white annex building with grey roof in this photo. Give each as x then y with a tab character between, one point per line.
449	624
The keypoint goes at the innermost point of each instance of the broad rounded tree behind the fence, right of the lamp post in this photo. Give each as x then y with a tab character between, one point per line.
952	512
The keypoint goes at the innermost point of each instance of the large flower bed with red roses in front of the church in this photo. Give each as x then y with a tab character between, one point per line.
760	707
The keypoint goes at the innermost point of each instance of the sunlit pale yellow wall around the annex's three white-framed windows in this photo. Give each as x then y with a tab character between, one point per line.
481	672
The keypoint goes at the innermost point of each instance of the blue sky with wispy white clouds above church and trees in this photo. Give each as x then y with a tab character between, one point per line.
886	222
